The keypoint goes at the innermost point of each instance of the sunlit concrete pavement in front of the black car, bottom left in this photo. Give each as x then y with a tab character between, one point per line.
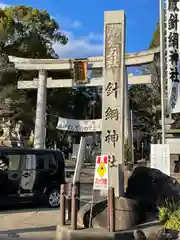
29	222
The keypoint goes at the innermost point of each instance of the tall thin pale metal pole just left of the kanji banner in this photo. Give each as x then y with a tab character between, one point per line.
162	69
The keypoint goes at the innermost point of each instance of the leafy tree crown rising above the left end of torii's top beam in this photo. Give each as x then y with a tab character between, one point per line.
28	32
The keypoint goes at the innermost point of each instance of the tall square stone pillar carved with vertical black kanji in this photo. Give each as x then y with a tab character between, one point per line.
113	97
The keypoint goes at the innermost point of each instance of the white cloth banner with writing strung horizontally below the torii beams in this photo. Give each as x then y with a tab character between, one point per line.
75	125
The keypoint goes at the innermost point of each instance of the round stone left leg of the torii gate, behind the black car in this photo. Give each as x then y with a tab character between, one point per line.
40	123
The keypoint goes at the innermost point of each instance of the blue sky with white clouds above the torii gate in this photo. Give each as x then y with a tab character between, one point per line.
82	21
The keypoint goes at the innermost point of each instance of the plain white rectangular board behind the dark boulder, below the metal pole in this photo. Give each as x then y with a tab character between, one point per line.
160	157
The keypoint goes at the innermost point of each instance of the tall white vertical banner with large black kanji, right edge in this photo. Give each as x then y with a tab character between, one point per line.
172	55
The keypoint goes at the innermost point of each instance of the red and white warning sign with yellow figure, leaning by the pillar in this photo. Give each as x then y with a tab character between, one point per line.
101	173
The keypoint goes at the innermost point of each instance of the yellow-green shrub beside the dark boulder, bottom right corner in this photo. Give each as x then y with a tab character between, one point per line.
169	215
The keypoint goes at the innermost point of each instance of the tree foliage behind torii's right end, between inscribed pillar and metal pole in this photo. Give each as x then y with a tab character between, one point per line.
145	99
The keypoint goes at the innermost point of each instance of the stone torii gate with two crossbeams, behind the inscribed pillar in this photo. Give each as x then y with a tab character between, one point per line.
43	82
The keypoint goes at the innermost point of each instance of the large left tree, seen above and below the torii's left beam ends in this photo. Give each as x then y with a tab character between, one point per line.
30	33
